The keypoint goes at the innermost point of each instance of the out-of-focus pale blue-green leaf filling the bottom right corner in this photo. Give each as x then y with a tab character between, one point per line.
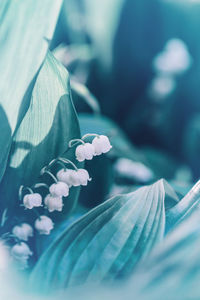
173	269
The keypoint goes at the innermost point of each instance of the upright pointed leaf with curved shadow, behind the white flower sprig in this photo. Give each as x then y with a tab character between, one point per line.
48	125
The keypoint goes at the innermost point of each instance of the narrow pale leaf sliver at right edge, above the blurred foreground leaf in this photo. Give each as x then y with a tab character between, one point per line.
186	206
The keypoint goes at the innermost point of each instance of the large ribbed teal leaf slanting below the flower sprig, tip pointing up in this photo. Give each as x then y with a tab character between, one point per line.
105	243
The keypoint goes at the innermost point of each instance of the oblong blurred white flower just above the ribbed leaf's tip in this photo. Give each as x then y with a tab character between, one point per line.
133	170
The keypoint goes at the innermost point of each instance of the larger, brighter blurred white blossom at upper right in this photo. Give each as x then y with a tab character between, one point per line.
174	59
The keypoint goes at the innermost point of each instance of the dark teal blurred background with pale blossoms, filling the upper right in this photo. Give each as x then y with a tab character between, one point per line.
141	60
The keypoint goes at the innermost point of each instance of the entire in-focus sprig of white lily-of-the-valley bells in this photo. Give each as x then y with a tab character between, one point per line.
53	201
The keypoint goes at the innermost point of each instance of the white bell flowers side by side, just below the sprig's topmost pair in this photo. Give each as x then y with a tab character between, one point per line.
74	177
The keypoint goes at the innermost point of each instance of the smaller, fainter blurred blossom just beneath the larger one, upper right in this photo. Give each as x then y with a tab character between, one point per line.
161	86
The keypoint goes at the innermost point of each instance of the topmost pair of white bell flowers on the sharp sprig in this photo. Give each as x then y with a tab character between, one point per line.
99	145
